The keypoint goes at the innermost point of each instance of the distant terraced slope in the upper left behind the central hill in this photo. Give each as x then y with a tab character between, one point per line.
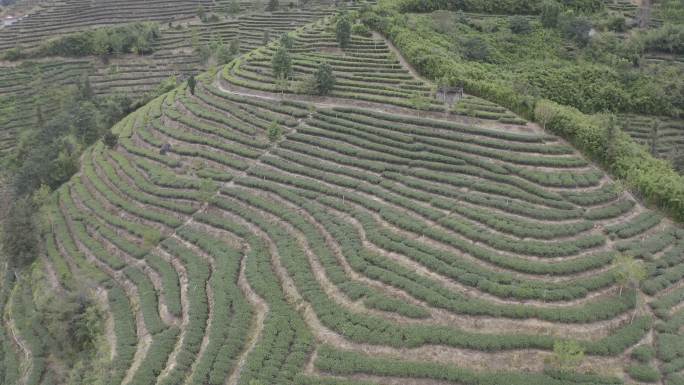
23	86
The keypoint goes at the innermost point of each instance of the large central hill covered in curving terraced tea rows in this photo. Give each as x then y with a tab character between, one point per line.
364	242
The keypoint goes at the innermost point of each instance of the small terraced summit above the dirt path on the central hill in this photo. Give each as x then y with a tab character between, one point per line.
367	70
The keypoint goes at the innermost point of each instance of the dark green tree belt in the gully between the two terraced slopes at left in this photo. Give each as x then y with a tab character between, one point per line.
47	156
